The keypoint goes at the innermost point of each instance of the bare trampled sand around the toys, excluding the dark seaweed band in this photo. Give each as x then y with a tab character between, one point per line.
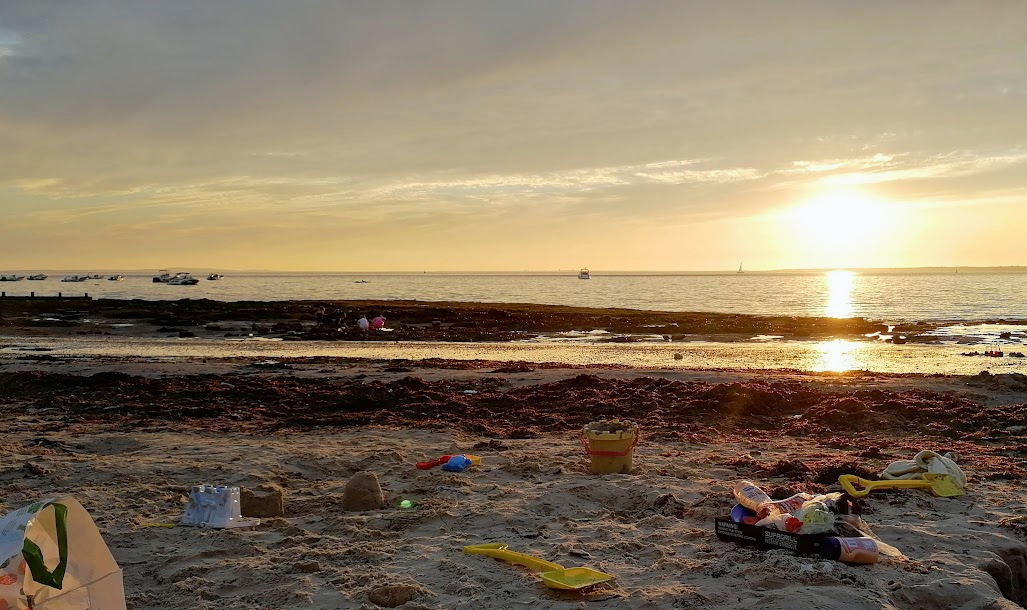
653	529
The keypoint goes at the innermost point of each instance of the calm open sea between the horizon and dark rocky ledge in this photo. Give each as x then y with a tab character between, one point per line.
965	296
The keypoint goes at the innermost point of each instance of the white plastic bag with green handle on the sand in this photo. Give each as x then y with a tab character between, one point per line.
53	558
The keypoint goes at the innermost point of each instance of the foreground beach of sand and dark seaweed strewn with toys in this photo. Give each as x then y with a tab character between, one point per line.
130	438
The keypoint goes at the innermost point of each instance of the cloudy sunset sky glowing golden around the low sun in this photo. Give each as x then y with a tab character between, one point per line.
523	135
